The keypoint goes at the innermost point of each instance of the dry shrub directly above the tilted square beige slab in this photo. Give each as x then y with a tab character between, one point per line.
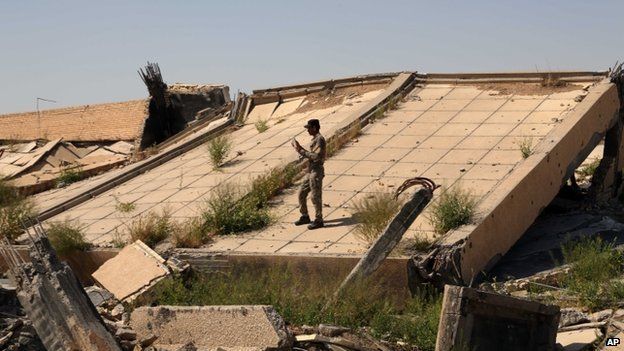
151	228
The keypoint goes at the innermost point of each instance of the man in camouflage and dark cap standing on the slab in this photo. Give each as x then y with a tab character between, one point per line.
314	178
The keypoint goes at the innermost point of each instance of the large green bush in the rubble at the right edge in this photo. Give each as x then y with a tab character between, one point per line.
593	264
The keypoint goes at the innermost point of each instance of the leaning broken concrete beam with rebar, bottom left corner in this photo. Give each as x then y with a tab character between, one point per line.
47	287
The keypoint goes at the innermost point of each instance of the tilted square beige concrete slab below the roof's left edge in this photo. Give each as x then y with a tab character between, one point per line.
135	270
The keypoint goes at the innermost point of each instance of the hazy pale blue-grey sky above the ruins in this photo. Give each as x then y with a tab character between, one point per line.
82	52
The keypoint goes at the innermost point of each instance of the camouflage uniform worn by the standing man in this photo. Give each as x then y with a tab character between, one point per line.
313	180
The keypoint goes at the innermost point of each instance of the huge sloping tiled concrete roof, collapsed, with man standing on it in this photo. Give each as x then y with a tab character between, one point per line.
457	129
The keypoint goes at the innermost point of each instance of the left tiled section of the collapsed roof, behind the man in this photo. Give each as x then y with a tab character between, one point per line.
187	178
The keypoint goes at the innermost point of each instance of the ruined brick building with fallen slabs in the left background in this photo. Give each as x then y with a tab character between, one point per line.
39	148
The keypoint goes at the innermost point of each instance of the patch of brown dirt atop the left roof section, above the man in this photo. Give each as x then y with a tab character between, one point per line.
326	98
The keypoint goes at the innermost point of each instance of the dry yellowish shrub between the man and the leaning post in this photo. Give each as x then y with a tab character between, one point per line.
373	213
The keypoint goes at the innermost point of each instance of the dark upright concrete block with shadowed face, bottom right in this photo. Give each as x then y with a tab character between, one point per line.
476	320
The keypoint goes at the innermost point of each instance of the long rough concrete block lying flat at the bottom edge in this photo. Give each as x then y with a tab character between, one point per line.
210	327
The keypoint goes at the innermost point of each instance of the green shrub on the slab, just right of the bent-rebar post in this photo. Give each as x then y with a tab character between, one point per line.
454	208
